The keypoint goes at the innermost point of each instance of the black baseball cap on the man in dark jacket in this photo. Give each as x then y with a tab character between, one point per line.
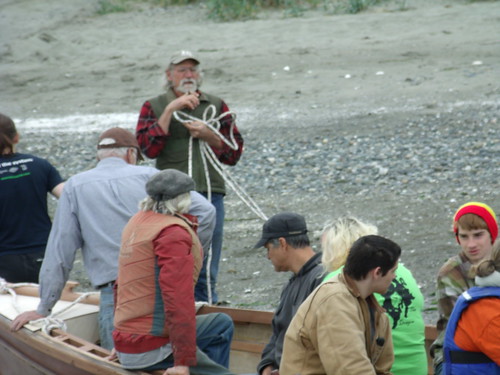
284	224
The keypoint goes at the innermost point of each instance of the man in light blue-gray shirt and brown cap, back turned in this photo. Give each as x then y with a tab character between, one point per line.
91	214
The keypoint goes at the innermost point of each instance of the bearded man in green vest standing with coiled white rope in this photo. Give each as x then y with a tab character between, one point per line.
194	132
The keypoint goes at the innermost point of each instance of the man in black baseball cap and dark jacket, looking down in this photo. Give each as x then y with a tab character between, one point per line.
288	248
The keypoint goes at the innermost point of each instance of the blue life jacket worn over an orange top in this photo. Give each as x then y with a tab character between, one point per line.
456	360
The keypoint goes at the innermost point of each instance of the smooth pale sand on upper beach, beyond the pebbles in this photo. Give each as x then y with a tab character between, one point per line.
58	58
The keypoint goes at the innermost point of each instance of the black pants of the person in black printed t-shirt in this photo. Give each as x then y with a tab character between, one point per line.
21	268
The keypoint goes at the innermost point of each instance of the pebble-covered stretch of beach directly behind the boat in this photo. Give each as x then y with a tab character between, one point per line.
405	172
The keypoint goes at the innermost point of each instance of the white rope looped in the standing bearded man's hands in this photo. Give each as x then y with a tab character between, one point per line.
206	152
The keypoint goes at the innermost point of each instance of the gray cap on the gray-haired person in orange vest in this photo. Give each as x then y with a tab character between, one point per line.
168	184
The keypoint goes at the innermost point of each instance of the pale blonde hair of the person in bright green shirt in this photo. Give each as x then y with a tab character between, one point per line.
337	238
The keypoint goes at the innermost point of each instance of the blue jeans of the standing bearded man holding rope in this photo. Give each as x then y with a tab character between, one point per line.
201	289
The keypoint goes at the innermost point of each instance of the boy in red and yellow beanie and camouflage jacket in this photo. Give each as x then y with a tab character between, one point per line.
476	229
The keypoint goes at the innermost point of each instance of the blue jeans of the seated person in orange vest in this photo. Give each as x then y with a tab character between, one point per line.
214	333
